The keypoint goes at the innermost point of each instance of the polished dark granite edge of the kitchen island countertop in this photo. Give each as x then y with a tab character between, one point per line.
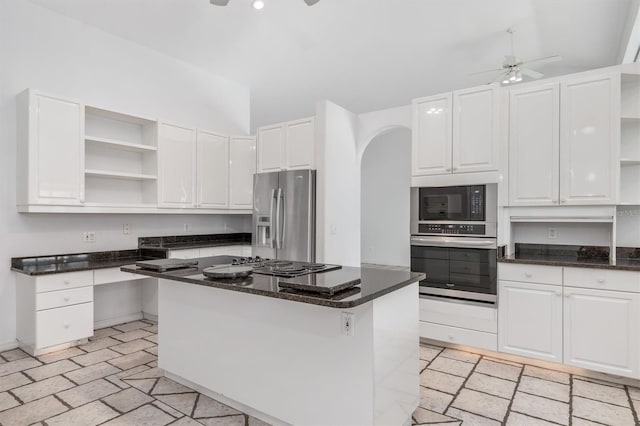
415	277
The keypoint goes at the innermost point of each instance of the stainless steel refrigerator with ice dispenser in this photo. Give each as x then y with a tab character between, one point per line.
284	215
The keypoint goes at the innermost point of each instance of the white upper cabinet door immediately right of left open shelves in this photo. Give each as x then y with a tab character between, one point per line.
176	166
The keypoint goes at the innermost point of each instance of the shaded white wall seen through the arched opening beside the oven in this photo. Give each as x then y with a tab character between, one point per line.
385	199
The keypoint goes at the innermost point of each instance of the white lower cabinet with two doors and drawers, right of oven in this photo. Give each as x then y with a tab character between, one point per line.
587	318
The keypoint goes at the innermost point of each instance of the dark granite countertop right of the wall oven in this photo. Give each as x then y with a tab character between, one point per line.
628	259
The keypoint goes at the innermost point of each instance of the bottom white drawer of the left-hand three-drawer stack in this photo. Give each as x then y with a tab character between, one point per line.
62	325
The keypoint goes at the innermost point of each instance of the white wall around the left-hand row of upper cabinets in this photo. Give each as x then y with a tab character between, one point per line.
46	51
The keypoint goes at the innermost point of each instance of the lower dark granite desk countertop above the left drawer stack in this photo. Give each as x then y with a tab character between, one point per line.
59	263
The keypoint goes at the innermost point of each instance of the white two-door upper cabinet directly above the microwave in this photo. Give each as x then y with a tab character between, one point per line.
456	132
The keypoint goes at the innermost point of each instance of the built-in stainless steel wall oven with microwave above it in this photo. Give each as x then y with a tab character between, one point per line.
453	241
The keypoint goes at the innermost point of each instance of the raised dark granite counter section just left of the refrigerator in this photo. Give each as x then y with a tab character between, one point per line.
183	242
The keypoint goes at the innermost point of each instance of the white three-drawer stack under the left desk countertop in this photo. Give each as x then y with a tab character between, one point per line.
54	309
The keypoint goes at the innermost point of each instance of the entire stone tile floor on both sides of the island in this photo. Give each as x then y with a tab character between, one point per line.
114	380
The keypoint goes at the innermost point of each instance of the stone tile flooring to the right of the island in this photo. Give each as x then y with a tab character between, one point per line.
458	387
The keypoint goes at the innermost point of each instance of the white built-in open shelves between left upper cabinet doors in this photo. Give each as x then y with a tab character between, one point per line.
121	162
